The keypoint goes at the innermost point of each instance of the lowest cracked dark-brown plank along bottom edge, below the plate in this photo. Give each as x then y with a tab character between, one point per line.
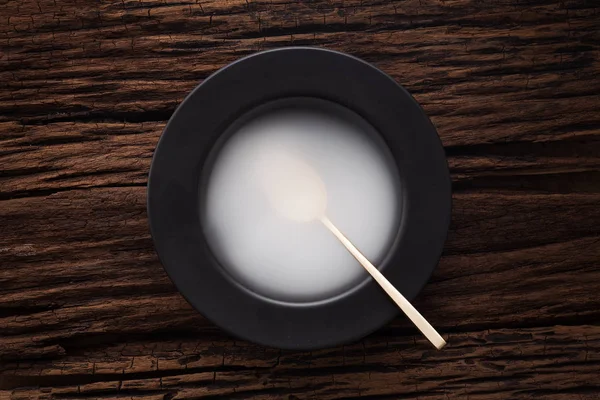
496	364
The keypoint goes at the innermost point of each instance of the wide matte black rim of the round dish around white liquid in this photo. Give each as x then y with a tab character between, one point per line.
175	194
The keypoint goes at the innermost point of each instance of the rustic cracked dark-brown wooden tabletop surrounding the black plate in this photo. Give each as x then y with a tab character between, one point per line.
86	88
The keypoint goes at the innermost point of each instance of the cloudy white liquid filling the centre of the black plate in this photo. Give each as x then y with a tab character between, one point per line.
289	255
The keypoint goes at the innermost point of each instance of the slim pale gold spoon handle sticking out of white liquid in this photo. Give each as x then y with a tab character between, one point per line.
408	309
